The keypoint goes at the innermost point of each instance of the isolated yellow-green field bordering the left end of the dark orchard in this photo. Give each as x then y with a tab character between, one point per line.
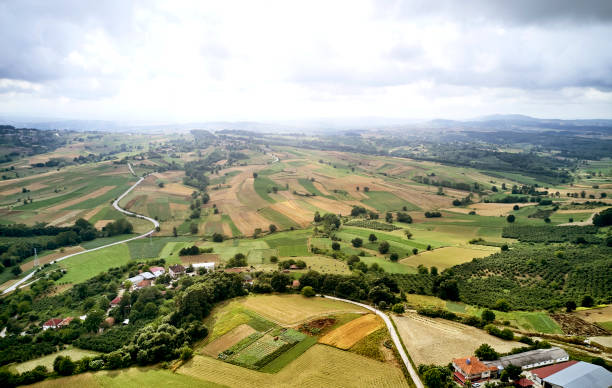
448	256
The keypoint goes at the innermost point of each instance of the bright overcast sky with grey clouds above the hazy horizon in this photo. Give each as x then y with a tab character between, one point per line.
187	61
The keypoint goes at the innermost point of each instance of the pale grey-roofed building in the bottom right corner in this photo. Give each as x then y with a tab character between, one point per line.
579	375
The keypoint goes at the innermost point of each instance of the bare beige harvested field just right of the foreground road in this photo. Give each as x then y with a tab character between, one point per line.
438	341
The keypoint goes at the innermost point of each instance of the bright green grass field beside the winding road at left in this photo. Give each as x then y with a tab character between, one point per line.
87	265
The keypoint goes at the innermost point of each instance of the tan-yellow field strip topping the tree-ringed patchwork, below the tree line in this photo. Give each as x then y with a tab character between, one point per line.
293	309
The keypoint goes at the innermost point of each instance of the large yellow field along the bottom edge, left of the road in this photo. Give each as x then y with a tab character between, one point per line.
319	366
